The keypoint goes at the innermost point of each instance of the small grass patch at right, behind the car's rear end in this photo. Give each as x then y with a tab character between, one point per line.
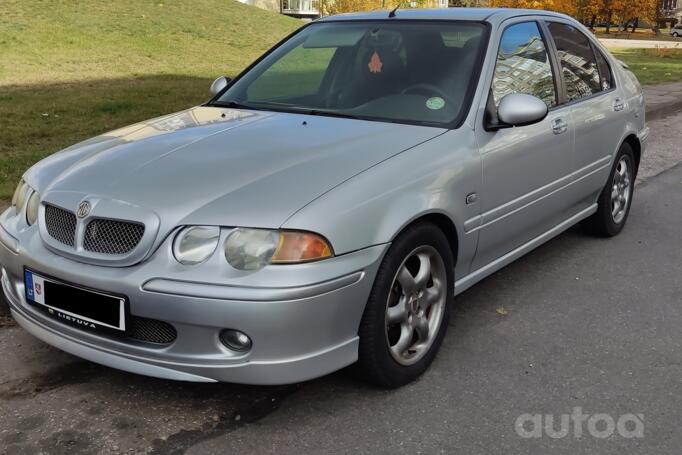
653	66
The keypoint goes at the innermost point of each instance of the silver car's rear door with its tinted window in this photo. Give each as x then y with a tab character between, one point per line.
597	109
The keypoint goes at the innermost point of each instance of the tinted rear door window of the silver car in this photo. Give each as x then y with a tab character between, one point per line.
578	62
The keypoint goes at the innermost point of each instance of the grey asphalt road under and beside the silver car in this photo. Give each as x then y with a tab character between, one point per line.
581	322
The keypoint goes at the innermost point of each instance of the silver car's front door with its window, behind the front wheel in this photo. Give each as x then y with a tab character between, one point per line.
526	170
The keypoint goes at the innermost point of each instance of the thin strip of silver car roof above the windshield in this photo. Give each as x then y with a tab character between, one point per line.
493	15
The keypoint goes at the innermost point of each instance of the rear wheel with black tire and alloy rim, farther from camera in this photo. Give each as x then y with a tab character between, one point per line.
608	221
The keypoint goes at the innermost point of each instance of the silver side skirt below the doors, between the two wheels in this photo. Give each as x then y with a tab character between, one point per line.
474	277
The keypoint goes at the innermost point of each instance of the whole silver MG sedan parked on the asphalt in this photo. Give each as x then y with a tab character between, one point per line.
325	206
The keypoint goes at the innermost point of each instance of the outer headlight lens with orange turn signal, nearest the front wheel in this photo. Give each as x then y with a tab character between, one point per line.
253	249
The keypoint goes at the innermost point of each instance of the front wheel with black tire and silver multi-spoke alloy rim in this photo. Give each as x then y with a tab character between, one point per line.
418	305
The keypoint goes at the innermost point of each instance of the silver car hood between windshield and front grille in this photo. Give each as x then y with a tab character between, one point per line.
216	166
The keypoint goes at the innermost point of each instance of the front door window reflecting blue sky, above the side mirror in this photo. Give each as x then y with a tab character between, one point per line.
523	65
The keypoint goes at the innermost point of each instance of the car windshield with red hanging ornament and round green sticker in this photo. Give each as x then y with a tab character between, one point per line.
395	71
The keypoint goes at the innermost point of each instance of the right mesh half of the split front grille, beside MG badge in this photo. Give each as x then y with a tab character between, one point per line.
111	236
